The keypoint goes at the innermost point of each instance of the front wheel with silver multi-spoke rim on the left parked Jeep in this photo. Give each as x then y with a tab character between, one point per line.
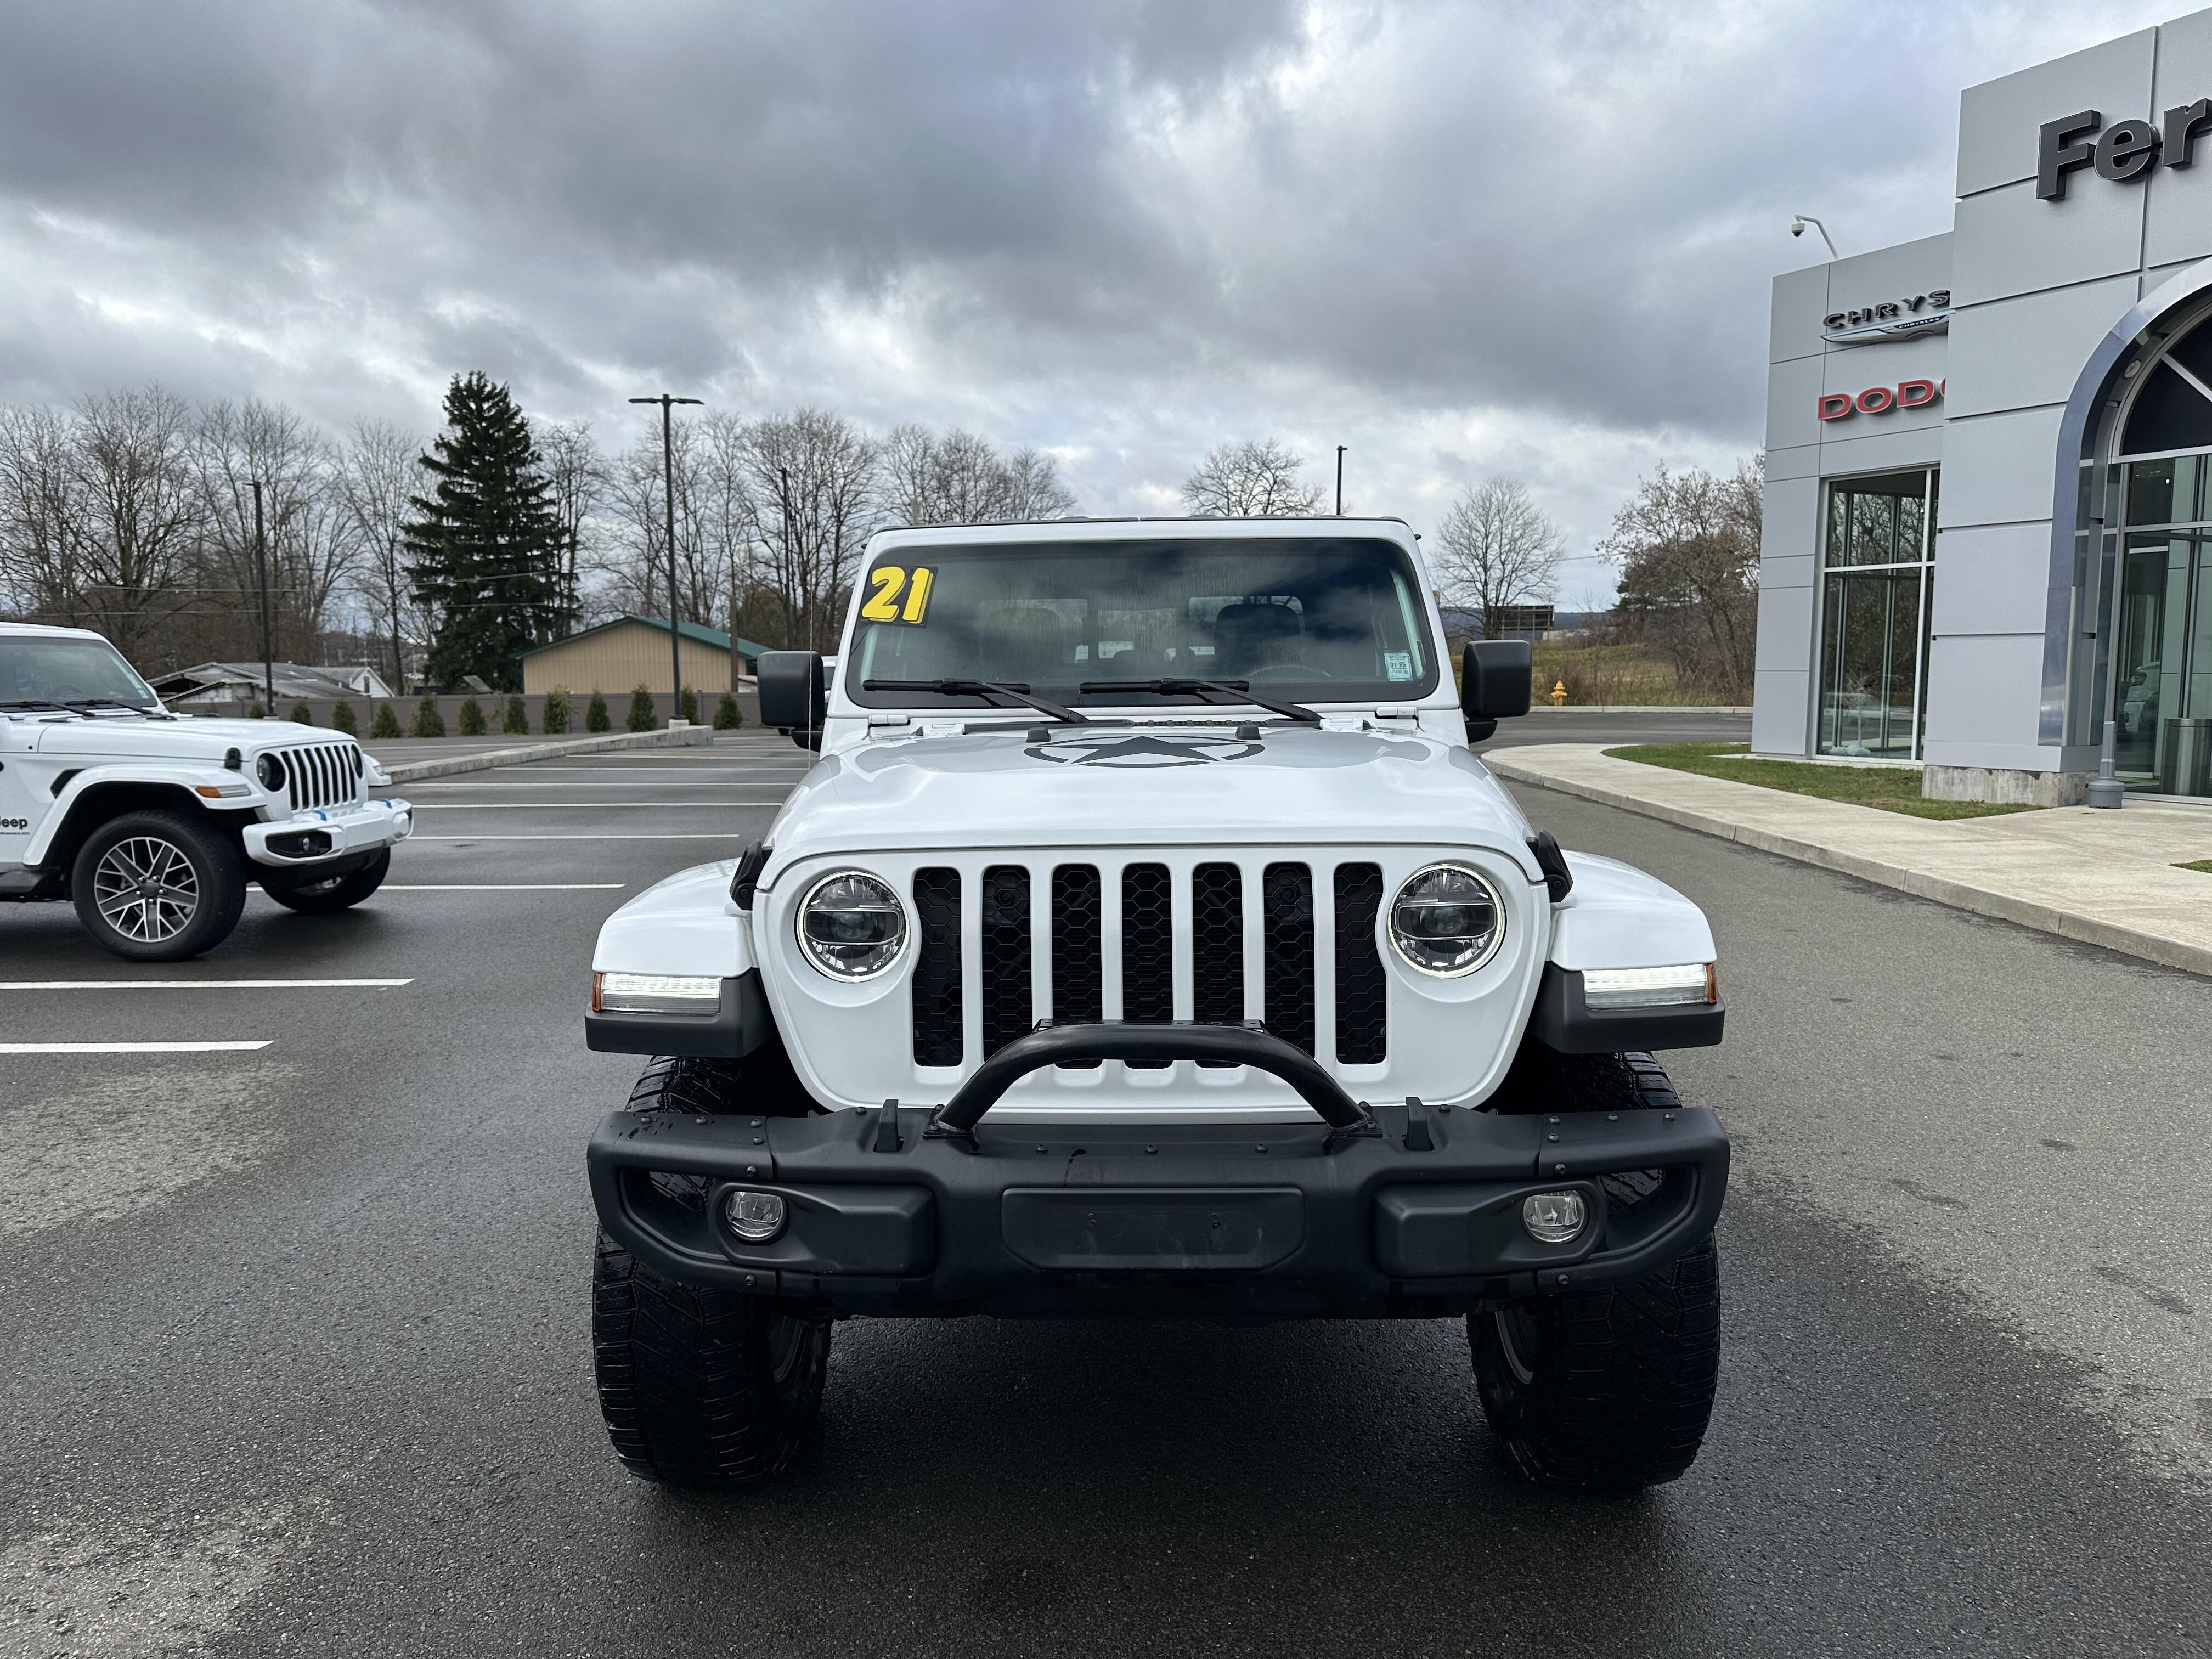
158	886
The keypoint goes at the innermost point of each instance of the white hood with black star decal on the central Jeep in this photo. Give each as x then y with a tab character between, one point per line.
1147	786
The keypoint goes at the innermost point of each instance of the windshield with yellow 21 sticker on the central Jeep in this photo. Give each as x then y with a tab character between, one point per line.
1304	618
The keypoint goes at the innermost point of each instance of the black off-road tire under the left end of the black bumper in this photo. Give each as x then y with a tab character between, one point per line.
702	1386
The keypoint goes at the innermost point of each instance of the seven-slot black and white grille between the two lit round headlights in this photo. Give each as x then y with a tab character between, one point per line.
1207	906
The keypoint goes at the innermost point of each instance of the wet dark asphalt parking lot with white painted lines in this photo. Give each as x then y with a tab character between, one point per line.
300	1331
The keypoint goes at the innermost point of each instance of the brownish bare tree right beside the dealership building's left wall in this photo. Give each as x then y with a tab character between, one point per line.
1689	559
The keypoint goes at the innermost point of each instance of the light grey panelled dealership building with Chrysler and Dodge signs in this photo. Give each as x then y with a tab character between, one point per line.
1990	455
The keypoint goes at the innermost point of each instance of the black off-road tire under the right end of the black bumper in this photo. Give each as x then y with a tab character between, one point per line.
1605	1390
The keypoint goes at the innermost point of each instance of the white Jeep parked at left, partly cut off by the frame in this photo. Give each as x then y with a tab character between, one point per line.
154	824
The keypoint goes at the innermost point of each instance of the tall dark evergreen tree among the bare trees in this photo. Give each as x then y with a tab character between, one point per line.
486	550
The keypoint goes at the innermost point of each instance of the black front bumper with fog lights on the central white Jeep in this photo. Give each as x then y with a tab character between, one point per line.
1410	1213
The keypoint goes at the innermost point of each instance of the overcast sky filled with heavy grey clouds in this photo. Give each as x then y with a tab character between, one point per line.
1463	240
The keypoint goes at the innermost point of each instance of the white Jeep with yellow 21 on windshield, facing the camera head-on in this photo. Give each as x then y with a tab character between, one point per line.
1151	941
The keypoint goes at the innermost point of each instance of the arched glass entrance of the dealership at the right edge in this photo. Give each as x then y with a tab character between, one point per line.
2153	567
